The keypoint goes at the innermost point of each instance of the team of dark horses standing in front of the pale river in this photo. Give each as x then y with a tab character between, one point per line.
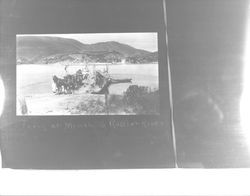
69	83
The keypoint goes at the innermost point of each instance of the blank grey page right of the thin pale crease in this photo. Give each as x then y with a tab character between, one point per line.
206	44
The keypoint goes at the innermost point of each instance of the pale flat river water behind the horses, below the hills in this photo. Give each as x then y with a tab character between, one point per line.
37	78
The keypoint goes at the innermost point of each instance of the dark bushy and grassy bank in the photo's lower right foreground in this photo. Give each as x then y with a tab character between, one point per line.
135	100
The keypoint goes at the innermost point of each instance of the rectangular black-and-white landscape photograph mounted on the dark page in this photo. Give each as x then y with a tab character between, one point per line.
87	74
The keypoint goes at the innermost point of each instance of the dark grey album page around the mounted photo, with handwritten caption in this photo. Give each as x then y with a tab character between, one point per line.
54	142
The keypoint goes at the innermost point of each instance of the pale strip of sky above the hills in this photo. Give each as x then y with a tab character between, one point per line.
146	41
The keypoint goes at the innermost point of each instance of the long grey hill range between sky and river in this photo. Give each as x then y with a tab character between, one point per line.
45	49
